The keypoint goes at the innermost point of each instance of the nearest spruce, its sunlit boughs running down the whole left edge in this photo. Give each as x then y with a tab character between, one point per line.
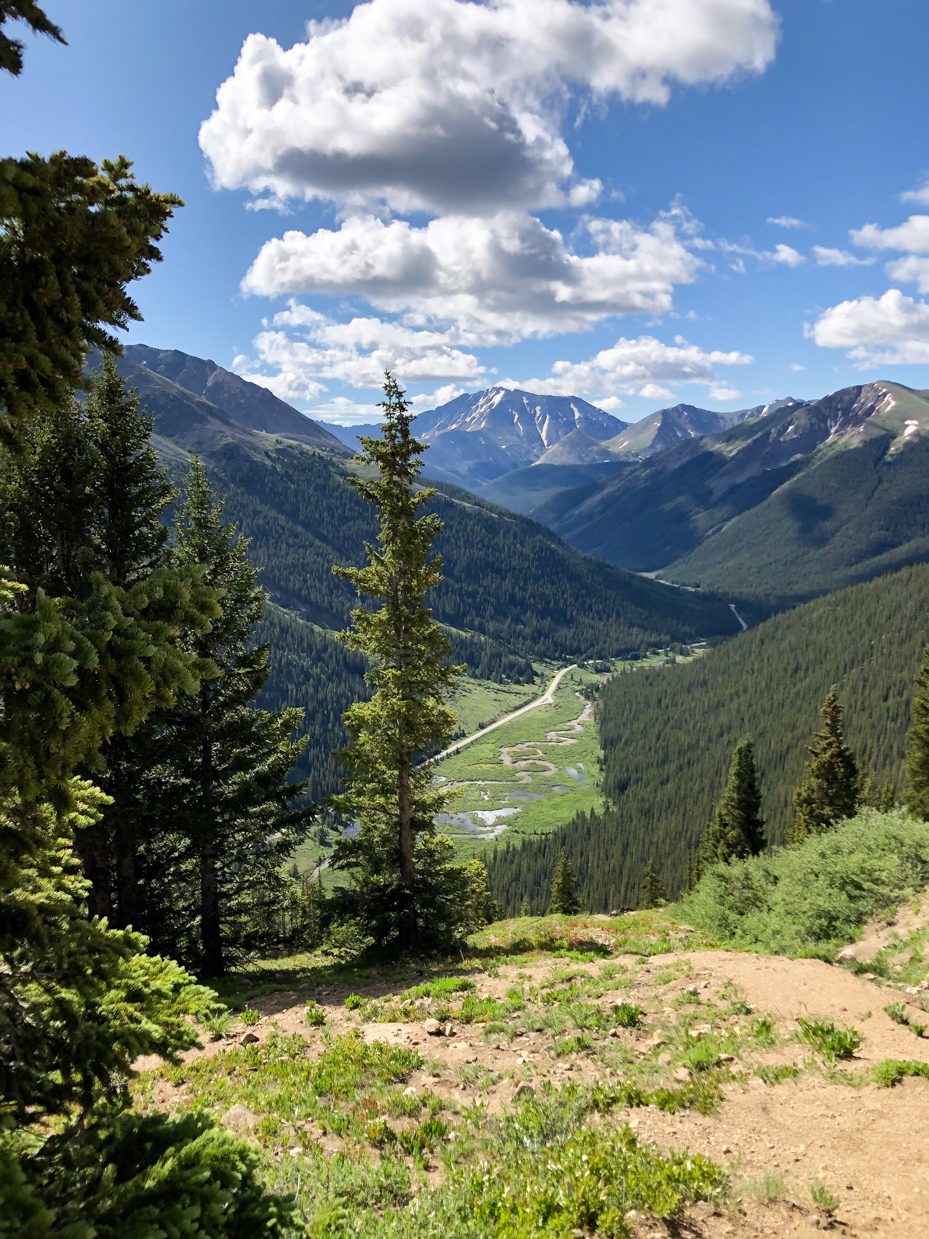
80	1002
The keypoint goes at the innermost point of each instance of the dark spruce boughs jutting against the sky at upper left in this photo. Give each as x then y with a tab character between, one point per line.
72	236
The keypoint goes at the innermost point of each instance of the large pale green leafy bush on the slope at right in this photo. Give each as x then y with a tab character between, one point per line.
811	900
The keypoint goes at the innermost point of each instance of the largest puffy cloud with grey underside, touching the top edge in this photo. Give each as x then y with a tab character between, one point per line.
459	107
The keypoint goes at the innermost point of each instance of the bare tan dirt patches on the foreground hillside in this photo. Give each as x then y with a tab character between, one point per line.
868	1145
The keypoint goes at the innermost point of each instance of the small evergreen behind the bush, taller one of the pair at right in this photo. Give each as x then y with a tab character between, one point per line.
832	784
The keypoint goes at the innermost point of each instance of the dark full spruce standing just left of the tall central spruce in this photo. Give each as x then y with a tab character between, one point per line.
219	789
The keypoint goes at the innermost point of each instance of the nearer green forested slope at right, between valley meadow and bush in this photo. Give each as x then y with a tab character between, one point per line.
668	735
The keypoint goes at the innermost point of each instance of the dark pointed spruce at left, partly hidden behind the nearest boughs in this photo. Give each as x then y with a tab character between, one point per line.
87	510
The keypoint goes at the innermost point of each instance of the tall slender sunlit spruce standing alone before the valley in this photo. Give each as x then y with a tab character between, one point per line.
399	865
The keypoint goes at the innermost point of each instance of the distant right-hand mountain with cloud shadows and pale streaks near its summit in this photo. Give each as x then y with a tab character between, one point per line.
805	500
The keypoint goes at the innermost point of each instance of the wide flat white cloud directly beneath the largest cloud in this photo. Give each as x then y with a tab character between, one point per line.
499	279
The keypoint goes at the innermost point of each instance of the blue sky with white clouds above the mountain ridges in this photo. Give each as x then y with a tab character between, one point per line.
574	199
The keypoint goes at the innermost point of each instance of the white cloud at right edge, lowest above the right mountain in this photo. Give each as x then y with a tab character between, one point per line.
892	330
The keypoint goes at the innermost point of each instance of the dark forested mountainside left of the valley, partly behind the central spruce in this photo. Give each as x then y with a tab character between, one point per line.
512	592
